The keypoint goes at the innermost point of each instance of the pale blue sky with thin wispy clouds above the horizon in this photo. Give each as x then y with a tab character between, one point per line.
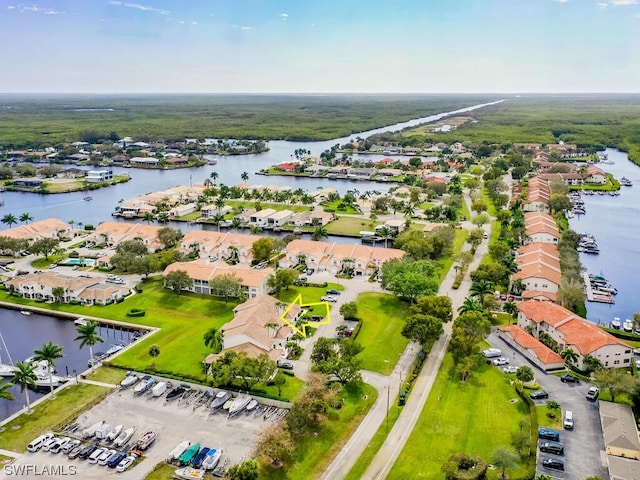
107	46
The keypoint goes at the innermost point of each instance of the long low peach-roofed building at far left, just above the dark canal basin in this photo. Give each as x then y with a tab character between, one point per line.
88	291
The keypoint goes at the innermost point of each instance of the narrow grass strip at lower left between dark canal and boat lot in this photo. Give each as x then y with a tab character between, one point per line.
50	415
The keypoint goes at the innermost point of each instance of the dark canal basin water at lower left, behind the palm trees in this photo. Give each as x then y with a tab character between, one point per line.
24	334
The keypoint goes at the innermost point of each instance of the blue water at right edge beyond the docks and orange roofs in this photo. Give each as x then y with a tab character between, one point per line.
614	223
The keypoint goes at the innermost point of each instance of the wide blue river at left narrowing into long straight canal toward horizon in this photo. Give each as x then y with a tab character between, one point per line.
71	206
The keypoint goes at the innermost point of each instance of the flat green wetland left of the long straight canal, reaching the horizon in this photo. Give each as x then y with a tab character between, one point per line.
165	117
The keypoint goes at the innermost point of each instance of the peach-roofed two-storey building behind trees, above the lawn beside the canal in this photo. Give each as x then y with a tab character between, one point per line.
253	282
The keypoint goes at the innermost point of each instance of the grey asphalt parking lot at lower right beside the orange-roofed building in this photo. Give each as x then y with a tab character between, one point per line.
584	445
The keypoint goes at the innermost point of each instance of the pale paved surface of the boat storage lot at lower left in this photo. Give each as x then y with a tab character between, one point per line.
173	423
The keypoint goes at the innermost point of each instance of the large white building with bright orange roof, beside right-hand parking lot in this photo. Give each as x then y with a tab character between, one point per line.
568	330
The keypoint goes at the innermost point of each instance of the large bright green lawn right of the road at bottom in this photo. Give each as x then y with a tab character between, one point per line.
474	417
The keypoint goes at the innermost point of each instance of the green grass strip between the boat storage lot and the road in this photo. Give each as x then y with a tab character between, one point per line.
315	452
